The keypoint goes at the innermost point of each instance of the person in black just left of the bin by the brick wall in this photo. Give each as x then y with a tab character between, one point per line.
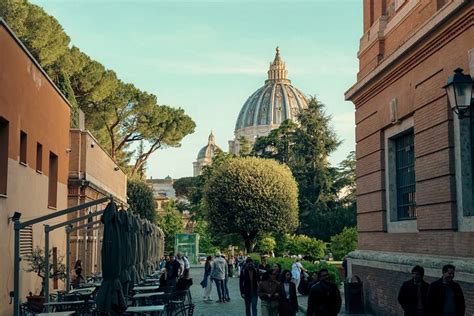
324	297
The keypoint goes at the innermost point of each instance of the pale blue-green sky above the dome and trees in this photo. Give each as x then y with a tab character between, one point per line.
208	57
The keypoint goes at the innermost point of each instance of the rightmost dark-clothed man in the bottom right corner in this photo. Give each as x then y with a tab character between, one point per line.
445	297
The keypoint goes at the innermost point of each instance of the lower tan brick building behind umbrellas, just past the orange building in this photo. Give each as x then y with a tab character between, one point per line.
93	174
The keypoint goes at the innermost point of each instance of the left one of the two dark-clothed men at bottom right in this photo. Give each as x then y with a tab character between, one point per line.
414	293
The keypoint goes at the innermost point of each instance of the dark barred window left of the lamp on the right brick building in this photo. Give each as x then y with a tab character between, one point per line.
406	185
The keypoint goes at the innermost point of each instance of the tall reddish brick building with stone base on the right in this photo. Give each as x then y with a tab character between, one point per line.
414	155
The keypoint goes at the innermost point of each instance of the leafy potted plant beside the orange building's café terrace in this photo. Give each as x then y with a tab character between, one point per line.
36	264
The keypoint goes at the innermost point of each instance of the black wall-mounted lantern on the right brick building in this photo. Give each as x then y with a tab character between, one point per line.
459	91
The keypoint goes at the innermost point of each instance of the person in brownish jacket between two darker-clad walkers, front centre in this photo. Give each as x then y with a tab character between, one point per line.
269	293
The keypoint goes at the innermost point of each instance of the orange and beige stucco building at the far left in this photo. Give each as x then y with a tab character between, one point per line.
34	158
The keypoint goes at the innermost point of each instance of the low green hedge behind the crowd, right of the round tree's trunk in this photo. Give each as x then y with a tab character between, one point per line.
309	266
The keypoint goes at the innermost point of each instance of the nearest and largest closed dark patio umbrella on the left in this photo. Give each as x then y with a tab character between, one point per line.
110	296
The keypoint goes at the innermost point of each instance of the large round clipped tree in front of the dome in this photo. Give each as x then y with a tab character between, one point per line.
250	196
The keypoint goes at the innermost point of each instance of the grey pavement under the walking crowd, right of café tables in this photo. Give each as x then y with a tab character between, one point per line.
235	307
